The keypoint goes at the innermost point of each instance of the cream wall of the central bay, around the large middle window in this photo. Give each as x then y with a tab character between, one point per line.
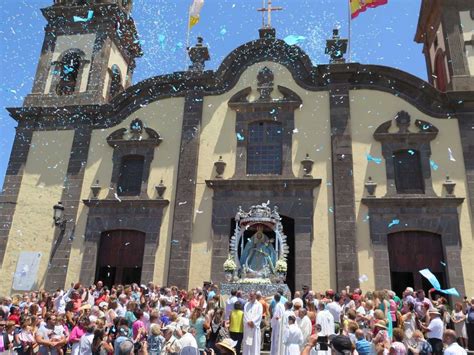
311	135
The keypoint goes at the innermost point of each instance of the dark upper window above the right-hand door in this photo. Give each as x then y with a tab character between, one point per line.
408	175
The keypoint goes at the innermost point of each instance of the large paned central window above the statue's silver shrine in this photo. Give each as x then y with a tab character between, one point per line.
264	148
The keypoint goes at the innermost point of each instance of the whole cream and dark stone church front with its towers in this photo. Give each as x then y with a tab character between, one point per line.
371	168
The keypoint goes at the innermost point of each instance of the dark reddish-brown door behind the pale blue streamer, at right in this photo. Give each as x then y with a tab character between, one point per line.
411	251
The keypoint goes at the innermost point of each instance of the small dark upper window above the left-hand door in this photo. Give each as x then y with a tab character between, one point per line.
130	175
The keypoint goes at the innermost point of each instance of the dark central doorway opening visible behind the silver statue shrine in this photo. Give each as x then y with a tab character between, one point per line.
289	230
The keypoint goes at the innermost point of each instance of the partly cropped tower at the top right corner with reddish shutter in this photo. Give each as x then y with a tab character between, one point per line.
446	30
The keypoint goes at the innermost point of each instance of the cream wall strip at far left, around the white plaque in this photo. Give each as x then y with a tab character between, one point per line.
41	188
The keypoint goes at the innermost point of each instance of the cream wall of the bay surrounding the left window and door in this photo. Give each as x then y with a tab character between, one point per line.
164	116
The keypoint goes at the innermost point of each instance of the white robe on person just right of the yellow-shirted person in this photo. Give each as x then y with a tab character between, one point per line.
252	337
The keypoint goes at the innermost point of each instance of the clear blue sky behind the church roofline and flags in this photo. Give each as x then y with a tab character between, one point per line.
383	35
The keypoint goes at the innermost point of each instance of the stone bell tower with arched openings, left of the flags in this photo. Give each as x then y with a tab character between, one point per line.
88	54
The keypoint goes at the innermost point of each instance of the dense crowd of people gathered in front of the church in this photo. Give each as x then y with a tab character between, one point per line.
148	319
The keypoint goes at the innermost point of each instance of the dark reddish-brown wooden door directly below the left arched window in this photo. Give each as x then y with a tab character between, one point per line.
120	257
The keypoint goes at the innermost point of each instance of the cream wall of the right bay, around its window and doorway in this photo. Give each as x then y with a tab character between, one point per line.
371	108
